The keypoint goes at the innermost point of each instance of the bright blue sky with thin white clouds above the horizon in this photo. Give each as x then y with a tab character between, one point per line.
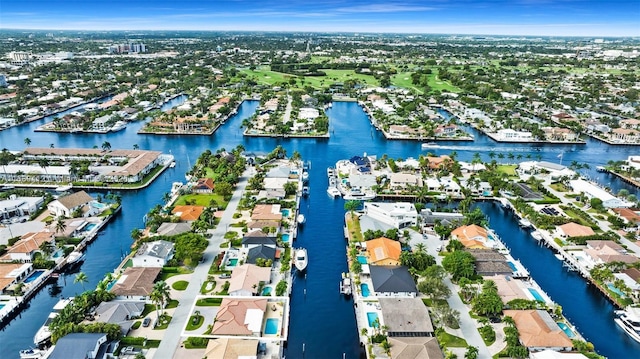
508	17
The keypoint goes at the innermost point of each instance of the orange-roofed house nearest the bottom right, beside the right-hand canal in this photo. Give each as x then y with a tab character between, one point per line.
539	331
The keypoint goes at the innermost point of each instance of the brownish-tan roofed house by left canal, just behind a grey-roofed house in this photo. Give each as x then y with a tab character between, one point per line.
136	283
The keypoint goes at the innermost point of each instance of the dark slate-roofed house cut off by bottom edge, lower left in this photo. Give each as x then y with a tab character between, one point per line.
83	345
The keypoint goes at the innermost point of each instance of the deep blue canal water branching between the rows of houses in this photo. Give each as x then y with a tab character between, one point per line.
322	322
